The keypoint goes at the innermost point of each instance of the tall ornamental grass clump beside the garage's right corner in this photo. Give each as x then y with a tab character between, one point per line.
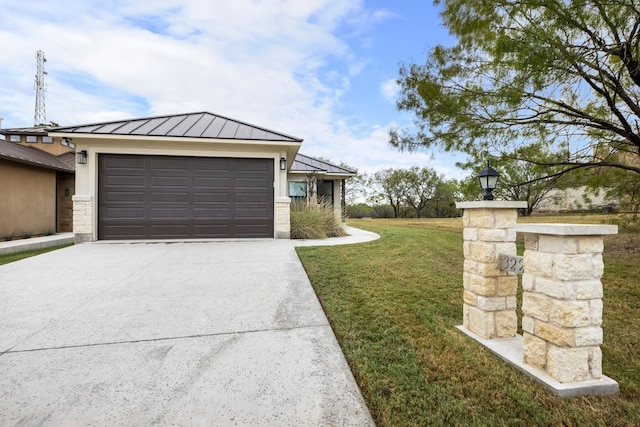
314	221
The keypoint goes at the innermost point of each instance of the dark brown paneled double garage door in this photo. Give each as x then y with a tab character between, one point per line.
163	197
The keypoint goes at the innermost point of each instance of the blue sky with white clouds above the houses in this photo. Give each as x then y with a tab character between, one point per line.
322	70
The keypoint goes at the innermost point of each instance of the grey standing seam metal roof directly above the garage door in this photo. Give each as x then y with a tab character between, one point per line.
191	125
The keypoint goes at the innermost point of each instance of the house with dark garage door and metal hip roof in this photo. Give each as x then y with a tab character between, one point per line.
196	175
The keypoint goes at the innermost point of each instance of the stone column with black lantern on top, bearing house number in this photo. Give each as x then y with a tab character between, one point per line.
489	308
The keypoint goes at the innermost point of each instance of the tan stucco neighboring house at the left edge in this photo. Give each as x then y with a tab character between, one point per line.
36	188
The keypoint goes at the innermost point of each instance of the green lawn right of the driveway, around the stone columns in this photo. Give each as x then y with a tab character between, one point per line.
394	304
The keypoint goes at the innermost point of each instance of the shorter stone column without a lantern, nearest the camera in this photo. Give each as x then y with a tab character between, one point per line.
562	299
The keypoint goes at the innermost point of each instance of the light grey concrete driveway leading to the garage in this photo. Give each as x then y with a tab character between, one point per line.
207	333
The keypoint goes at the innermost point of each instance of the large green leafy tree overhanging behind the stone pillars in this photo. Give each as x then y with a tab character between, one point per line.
559	74
